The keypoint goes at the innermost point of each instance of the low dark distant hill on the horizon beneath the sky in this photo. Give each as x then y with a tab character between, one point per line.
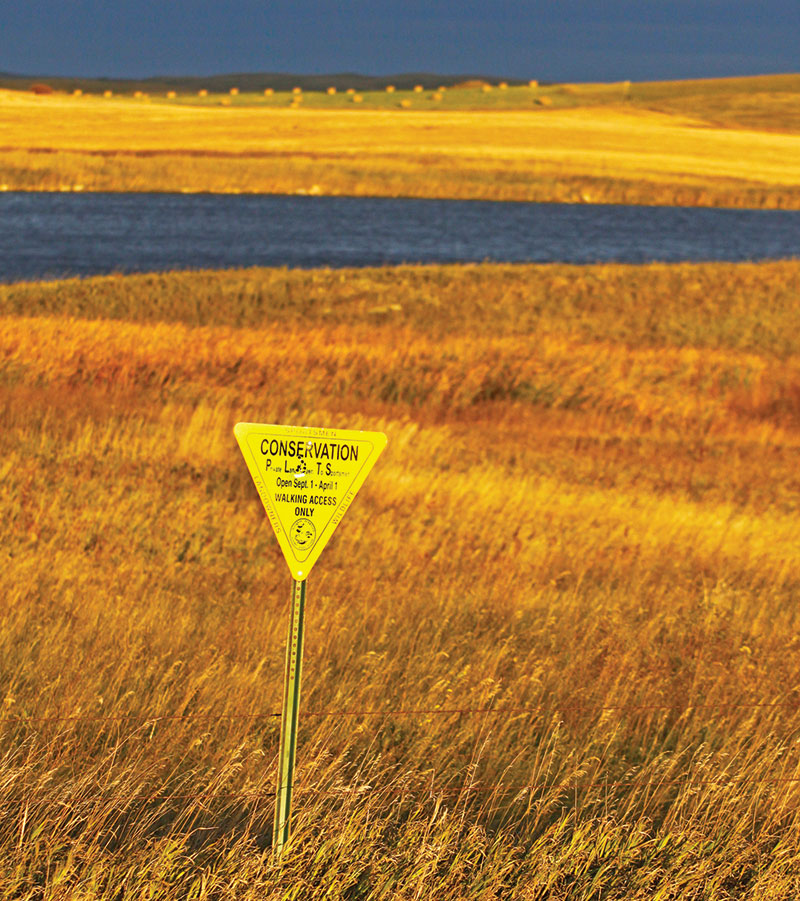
246	82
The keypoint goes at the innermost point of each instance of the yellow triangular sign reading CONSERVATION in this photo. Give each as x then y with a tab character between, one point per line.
306	479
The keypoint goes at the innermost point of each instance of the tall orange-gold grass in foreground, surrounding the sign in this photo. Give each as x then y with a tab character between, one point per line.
551	650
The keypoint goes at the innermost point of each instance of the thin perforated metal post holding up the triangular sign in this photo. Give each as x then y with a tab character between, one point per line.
289	717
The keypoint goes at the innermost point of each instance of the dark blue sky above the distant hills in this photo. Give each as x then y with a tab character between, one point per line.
555	40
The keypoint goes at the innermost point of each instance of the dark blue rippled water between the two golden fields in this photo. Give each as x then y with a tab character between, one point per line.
53	234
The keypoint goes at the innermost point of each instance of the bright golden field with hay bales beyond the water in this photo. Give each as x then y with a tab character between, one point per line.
729	142
